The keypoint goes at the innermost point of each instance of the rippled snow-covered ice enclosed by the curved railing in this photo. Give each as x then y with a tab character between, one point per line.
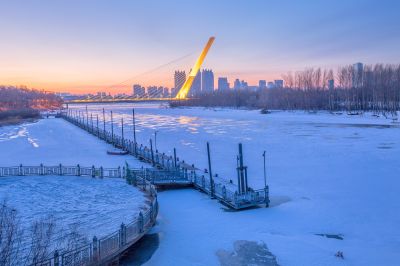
94	206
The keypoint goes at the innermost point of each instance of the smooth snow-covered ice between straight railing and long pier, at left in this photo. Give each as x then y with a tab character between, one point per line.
55	141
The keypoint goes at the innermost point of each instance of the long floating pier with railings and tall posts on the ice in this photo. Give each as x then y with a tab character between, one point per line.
169	171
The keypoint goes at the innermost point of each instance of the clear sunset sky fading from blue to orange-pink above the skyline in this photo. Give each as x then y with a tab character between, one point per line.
89	46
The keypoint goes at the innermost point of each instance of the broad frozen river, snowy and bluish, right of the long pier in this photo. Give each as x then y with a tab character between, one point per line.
328	174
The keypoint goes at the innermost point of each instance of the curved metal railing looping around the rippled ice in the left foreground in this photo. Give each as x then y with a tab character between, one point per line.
105	249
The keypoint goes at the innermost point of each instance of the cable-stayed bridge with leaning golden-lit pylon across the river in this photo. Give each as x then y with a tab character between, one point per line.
153	93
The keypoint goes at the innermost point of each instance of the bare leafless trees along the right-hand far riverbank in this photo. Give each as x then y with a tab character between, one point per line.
374	88
